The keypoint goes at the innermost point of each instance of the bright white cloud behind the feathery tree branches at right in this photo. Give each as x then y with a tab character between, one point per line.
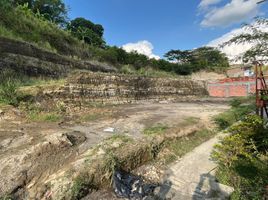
234	51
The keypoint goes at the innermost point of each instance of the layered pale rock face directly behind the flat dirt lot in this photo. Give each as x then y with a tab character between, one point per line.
118	88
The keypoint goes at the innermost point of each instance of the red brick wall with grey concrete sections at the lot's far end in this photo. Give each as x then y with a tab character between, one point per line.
232	87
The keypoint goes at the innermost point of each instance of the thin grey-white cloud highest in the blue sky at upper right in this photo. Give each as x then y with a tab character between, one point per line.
236	11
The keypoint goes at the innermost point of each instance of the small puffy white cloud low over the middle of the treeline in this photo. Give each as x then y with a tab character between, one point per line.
142	47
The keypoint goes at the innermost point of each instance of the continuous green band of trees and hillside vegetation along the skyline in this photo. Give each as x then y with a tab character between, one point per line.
46	23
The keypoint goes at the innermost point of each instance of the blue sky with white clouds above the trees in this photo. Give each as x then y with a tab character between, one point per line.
153	27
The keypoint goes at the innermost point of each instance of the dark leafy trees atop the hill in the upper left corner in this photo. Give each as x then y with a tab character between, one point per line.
52	10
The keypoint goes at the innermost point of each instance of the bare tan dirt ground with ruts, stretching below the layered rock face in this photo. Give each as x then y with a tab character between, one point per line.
74	161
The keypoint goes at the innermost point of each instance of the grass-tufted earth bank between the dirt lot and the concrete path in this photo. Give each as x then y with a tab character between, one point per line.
122	152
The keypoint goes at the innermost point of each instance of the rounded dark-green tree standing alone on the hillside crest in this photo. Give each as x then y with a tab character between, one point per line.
87	31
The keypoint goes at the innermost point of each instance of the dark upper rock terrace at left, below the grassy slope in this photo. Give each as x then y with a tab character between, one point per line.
33	61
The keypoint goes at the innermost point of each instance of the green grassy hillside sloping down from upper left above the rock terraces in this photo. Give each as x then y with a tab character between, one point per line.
16	24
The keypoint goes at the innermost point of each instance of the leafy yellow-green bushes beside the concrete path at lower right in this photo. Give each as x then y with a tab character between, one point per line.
243	160
